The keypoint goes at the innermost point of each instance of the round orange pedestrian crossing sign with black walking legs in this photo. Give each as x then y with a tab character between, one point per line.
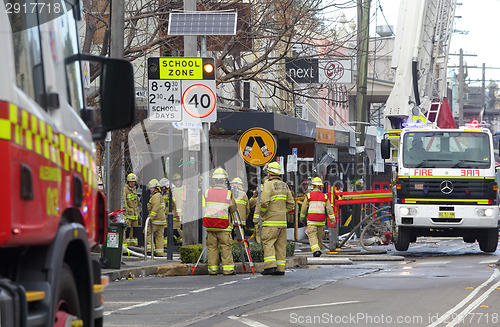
257	146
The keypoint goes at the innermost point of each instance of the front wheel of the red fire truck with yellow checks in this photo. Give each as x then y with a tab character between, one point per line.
68	304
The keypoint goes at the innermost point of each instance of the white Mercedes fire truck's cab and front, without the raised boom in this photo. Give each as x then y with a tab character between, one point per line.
445	186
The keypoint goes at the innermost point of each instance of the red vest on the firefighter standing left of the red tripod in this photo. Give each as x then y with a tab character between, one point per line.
217	202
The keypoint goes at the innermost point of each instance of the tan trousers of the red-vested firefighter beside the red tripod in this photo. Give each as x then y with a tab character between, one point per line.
214	239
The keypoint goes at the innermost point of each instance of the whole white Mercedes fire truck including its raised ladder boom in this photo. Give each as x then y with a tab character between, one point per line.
444	177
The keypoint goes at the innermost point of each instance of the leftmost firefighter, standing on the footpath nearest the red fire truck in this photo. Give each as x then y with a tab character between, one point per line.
131	206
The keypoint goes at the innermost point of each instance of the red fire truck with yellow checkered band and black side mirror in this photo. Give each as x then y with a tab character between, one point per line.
51	210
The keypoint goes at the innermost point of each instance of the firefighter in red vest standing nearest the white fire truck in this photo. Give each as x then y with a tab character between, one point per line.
315	205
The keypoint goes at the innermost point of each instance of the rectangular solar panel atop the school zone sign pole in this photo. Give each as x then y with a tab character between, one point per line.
202	23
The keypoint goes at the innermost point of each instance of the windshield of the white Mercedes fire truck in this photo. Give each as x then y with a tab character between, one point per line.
446	150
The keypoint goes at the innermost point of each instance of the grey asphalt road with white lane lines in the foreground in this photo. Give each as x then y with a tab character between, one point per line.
441	282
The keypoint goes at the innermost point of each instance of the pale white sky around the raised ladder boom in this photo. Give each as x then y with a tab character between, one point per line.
479	18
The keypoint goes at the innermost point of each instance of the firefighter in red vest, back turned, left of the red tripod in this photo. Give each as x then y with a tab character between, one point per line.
219	204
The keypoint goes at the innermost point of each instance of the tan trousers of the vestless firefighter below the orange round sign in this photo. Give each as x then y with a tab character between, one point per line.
274	245
